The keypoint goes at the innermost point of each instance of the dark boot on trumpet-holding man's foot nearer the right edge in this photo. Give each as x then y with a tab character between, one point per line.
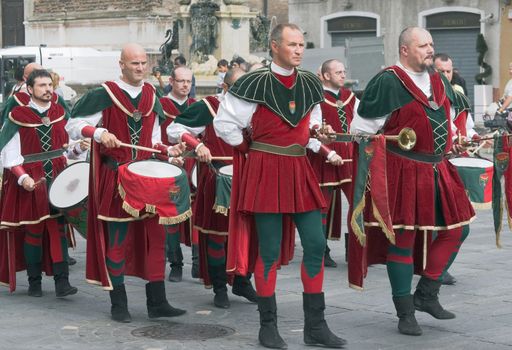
426	299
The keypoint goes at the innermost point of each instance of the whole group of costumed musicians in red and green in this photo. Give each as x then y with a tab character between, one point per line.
236	175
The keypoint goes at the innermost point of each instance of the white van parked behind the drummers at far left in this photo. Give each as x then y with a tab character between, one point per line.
75	65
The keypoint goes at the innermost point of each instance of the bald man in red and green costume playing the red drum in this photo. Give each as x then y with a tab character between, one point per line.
125	110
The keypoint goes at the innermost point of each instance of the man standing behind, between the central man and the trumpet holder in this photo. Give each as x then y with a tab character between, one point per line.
337	111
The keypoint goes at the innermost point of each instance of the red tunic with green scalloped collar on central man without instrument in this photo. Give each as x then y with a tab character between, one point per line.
276	177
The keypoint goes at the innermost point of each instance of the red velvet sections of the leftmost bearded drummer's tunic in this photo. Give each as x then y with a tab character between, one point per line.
19	206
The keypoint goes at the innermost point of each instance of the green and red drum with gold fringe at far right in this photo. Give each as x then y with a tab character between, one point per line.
476	174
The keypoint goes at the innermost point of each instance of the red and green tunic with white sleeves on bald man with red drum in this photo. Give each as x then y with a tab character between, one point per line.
133	120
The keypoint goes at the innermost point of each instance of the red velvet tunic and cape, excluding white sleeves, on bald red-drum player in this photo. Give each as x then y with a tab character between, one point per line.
105	202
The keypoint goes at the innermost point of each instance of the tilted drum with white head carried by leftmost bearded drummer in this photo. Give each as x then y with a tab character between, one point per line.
69	193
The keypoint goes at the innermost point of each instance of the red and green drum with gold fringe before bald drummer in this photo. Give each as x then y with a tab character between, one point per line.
156	187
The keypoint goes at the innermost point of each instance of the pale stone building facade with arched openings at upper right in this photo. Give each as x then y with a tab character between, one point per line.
454	24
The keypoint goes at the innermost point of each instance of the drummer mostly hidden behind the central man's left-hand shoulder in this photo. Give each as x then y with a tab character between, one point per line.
212	222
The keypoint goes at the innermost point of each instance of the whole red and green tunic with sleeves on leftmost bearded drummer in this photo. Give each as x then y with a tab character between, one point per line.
41	139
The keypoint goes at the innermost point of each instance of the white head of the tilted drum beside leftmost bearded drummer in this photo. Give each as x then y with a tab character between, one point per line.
71	186
